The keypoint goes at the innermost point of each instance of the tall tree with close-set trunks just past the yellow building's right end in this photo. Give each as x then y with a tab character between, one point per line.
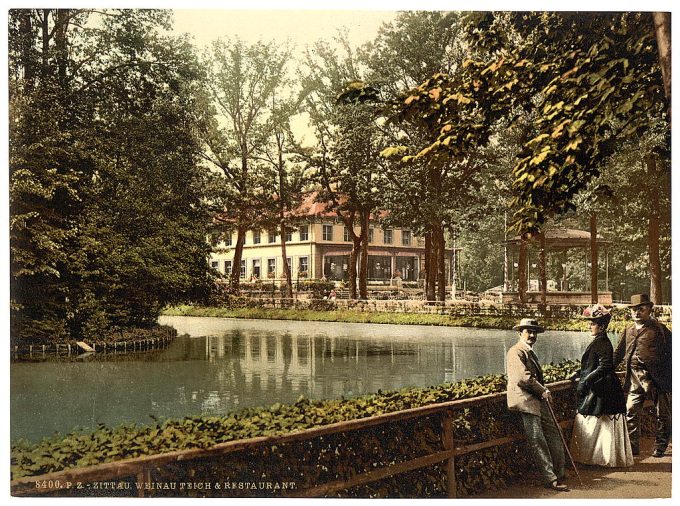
437	194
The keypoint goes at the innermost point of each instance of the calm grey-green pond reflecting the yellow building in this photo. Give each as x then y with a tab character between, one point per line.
219	365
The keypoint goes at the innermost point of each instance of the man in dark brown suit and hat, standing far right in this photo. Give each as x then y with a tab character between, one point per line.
645	349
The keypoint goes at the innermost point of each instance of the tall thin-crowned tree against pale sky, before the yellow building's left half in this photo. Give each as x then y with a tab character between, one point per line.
245	113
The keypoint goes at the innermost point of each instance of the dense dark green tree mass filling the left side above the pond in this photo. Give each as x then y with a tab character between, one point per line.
107	214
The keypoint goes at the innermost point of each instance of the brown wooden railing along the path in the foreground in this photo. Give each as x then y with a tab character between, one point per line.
140	470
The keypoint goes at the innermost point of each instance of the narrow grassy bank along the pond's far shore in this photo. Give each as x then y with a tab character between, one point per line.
348	316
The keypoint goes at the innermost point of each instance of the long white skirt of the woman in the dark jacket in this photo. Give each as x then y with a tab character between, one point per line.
601	441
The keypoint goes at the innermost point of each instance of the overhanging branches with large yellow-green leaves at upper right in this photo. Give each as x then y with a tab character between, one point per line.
589	79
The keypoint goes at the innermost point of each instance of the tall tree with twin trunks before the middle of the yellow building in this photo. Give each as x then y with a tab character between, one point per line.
347	154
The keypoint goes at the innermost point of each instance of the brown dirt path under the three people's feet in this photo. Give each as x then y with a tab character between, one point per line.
648	478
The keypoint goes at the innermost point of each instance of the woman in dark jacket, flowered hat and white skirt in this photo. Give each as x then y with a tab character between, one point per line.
600	436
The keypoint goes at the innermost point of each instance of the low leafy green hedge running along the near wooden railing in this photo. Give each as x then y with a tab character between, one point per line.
109	444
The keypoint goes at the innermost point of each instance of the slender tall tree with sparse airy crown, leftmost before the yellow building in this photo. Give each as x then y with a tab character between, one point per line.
242	79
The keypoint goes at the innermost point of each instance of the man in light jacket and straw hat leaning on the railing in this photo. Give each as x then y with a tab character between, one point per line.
528	396
